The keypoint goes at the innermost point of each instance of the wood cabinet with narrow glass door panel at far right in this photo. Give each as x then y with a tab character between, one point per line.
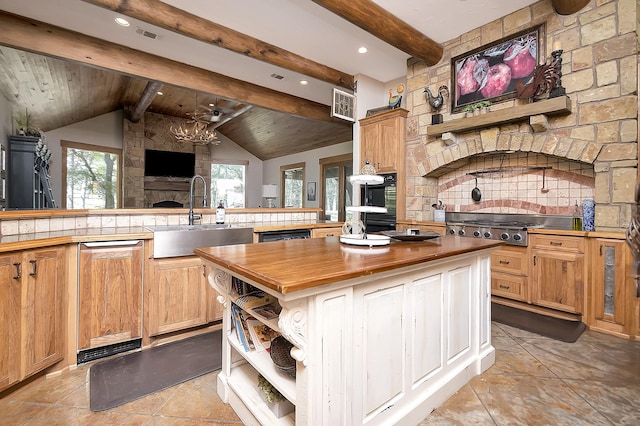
612	298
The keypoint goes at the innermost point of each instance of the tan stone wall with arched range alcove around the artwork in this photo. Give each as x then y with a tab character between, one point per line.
592	152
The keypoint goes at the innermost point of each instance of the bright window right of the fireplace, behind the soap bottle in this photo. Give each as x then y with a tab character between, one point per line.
228	183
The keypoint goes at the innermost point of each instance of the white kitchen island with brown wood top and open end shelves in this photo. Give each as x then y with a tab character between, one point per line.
381	335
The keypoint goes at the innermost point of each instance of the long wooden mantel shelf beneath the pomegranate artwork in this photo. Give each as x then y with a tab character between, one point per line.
554	106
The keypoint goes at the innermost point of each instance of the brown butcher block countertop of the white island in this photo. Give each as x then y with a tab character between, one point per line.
294	265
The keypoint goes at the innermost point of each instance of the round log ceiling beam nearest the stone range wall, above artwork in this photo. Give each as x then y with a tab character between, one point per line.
387	27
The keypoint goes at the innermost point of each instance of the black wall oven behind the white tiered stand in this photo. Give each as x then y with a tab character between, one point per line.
381	195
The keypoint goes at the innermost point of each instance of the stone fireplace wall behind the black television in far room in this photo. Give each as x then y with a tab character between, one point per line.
151	132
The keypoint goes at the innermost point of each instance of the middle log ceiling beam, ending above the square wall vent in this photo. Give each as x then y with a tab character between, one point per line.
171	18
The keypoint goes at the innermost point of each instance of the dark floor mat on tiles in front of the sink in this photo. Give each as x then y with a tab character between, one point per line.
120	380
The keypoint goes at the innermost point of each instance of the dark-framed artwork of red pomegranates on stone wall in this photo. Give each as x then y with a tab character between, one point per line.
490	73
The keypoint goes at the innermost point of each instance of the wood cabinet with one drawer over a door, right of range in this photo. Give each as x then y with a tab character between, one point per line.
558	272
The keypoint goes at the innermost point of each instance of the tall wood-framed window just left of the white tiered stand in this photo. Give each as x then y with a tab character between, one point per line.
337	191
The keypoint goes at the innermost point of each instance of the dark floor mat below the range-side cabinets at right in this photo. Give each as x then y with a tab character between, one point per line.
554	328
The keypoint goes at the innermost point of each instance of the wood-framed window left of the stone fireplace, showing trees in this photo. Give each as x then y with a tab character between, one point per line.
92	176
